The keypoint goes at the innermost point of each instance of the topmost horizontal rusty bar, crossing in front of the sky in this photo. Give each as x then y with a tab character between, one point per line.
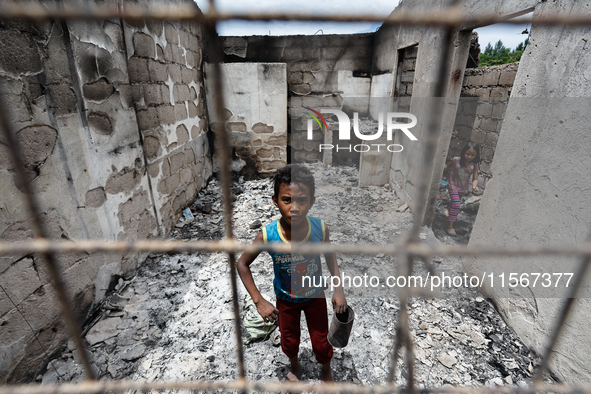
38	11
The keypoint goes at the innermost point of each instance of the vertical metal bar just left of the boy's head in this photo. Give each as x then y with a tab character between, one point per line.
223	146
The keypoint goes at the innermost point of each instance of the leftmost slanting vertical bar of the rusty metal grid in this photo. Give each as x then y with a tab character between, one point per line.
50	257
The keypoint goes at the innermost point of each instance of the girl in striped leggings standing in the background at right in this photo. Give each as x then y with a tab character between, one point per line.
462	170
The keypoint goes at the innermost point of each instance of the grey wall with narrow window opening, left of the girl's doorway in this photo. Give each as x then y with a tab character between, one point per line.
389	40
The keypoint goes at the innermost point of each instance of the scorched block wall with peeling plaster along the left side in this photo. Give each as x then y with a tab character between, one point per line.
110	119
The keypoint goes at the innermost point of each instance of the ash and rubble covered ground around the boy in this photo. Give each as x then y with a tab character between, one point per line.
173	320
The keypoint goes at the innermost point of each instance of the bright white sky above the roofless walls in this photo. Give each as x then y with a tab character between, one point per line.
509	34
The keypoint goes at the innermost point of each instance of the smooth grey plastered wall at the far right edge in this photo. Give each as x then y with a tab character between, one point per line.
539	192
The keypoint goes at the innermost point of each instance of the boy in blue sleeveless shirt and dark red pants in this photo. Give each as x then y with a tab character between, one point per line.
294	188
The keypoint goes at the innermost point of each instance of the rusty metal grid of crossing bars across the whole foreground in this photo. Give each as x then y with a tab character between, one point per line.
407	249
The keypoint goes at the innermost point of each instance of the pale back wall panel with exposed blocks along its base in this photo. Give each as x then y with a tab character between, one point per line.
255	112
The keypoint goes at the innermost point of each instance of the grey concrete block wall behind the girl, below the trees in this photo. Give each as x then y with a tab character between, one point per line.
479	118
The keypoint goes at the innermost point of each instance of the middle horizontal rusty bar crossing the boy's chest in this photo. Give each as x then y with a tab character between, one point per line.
416	249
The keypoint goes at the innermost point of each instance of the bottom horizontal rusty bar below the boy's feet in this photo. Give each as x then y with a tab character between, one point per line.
92	387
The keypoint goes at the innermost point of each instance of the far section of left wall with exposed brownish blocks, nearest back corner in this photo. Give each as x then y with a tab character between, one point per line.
165	69
